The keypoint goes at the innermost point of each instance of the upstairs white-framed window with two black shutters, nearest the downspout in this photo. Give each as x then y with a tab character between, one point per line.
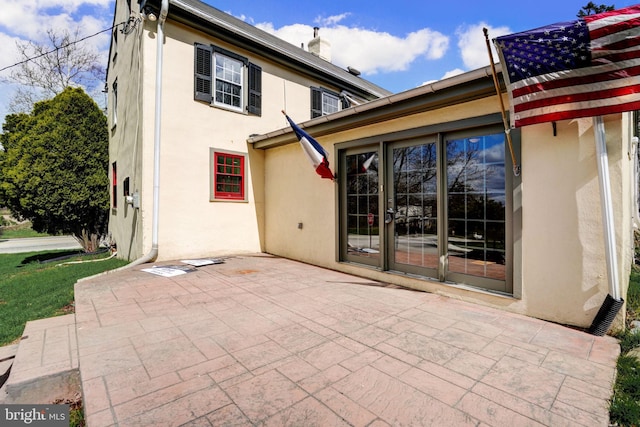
227	80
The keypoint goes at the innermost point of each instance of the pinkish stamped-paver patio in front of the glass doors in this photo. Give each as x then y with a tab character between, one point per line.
261	340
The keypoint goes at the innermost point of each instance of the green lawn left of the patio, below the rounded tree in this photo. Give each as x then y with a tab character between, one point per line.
32	286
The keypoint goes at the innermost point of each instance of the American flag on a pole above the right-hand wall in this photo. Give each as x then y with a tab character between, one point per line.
584	68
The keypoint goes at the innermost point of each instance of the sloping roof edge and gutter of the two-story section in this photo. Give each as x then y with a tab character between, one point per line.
210	20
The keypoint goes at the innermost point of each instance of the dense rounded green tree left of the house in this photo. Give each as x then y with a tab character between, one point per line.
54	167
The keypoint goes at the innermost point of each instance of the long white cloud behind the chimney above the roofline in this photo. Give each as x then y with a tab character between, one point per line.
369	51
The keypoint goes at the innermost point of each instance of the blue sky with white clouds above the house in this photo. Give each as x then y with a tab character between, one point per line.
397	45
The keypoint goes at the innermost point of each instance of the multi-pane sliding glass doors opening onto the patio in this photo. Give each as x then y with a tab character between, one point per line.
436	206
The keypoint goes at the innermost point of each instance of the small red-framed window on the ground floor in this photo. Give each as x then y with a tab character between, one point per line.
228	175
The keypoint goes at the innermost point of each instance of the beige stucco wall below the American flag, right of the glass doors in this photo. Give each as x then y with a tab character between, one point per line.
564	266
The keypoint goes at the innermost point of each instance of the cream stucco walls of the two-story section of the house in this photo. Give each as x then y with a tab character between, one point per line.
190	224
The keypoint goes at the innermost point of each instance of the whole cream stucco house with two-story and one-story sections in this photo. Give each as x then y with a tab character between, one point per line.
424	197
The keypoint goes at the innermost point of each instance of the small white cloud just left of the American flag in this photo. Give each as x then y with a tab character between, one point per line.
472	44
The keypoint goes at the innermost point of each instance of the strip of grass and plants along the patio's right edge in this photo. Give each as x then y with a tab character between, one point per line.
625	402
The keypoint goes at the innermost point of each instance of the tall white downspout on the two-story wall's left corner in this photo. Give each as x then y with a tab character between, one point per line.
153	253
